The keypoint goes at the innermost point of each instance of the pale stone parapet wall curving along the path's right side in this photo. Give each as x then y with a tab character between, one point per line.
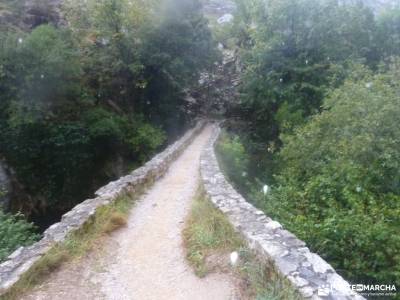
311	275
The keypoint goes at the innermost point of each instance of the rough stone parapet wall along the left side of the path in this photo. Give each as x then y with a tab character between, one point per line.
24	258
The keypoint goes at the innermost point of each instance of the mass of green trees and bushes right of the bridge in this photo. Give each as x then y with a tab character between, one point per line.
321	82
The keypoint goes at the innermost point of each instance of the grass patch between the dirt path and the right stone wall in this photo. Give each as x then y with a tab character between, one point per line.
208	233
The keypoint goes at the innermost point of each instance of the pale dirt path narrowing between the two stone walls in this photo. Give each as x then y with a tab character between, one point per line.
145	260
